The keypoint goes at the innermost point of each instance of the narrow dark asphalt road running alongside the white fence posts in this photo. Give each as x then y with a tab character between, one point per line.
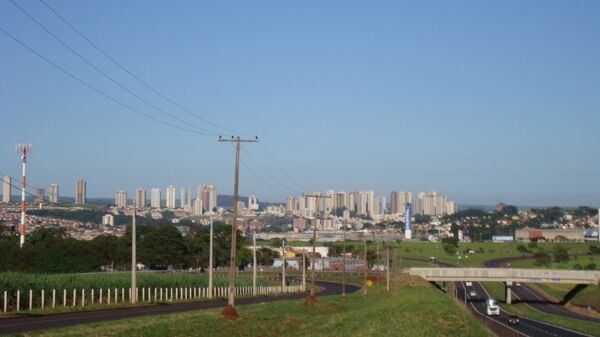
14	325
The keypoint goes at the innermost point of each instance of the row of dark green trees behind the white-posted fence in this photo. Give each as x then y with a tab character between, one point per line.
50	250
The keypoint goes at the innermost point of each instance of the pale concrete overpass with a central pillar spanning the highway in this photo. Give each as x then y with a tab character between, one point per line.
508	276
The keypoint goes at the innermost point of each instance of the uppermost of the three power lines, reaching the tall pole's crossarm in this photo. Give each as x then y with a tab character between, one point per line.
137	78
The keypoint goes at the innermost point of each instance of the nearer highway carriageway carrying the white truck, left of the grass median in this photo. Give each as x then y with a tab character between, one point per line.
526	326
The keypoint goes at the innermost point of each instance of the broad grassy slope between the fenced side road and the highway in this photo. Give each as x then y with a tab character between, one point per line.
412	308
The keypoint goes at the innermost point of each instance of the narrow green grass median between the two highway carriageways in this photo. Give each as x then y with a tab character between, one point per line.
496	290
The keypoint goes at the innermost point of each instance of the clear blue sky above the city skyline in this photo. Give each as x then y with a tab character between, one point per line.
485	101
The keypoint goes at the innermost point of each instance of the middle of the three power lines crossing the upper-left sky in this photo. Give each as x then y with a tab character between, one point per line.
107	76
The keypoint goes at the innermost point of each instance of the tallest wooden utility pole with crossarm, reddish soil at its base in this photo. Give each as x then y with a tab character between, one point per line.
229	312
